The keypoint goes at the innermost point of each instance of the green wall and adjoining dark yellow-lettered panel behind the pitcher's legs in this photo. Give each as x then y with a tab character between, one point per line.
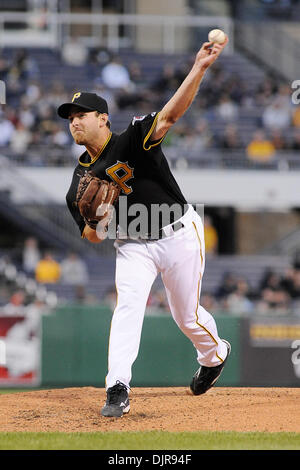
265	351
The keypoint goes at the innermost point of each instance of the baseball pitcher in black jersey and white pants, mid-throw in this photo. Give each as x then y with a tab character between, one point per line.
132	166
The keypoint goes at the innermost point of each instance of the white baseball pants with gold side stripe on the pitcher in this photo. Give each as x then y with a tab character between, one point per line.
180	258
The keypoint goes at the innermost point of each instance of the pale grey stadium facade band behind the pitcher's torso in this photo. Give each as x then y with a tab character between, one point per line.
245	190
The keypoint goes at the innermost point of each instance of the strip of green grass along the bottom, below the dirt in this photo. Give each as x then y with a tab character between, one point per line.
151	440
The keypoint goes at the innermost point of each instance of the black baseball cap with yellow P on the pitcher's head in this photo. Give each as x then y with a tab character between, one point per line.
88	101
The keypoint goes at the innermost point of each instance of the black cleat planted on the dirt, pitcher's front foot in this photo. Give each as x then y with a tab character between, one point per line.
117	402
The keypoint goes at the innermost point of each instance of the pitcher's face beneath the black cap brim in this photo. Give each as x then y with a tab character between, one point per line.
84	126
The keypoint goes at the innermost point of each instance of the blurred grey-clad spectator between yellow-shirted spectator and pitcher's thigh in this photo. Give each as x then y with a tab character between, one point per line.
74	271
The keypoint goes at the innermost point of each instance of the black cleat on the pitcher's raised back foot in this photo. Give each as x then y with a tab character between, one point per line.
206	377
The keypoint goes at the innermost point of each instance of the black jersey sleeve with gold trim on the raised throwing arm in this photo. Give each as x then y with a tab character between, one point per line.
142	128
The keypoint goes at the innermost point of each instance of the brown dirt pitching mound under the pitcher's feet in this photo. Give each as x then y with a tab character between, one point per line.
164	409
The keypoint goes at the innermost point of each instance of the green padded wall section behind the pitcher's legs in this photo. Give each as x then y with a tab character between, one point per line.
75	345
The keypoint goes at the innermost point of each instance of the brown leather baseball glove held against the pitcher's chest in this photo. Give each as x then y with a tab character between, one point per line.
95	198
